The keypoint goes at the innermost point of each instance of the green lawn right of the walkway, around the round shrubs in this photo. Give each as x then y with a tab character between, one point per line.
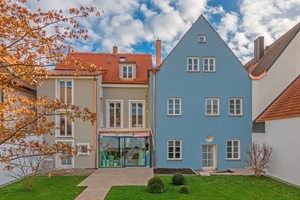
213	187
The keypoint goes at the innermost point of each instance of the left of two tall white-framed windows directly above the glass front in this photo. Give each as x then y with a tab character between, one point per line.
114	114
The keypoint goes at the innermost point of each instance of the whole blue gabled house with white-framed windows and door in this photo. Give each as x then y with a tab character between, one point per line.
202	104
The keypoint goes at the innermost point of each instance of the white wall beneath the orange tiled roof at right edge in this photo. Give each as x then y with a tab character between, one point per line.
283	136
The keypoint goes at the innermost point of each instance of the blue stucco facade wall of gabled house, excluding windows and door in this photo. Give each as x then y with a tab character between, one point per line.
229	80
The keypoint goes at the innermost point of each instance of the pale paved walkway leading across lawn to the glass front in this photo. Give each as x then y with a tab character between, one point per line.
101	181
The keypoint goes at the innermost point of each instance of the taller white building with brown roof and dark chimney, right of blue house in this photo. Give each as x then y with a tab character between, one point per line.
272	69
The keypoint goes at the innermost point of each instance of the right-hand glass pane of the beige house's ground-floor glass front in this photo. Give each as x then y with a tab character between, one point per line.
135	152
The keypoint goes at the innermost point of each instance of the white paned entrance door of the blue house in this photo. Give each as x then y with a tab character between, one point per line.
208	157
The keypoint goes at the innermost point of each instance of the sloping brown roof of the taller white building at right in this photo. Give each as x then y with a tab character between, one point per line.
272	53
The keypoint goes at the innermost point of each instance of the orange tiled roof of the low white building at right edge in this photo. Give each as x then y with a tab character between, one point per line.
286	105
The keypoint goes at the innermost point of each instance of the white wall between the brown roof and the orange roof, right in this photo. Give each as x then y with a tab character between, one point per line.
281	74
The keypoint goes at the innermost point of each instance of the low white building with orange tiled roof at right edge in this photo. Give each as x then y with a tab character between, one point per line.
282	127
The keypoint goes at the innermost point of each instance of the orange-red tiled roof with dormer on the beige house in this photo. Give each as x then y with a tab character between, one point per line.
110	63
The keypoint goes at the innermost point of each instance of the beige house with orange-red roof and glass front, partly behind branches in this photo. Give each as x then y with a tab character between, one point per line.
122	135
